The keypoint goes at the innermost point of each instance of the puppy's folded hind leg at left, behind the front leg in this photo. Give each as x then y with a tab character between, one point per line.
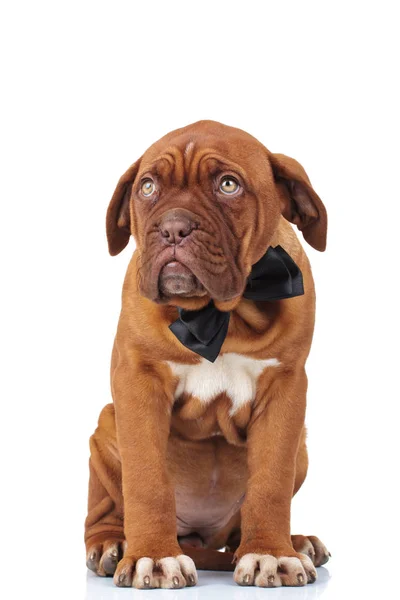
104	533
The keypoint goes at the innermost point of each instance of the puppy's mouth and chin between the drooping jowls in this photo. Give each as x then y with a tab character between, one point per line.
176	279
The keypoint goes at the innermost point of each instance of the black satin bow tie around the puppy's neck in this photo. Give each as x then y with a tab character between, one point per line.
274	277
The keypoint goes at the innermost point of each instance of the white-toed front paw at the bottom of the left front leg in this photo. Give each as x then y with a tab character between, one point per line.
146	573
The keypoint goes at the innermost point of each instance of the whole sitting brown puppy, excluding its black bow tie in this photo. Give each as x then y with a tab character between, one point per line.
193	456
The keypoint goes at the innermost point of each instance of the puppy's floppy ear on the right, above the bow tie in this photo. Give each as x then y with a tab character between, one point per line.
299	202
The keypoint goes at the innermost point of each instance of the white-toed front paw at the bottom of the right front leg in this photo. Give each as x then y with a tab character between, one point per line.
265	570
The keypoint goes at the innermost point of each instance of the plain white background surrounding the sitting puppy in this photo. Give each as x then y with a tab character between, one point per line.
86	88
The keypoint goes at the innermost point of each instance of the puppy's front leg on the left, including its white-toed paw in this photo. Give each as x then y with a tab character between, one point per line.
143	400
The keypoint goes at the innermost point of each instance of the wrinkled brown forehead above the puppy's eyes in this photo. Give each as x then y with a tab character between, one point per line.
190	158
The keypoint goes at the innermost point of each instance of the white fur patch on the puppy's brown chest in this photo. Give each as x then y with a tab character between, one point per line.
232	373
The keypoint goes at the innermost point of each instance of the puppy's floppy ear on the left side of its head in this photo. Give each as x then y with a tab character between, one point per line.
118	220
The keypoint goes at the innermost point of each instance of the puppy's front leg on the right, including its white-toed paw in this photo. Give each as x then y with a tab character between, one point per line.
266	556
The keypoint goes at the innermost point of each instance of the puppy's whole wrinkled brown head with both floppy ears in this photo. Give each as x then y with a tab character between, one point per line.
203	204
